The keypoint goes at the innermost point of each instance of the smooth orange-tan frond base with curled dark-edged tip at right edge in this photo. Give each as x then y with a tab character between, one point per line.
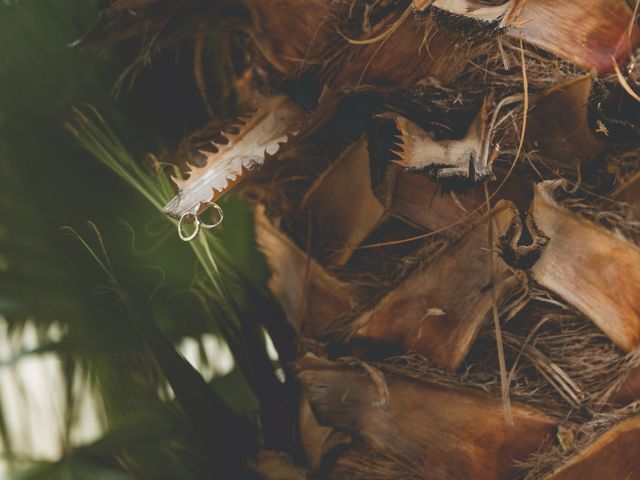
584	263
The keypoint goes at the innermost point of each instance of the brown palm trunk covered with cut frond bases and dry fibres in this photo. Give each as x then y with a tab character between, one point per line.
446	193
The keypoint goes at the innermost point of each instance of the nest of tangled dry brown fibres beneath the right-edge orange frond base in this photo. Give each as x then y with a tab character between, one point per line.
555	351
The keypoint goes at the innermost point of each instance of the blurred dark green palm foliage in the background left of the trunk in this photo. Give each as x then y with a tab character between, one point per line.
115	354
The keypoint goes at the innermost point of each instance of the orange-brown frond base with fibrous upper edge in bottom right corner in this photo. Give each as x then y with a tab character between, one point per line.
604	447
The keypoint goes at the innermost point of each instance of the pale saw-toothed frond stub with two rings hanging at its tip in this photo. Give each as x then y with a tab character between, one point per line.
249	144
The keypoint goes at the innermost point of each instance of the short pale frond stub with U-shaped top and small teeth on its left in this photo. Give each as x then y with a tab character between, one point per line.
466	158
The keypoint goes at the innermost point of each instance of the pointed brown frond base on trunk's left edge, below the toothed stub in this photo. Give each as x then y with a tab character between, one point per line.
310	296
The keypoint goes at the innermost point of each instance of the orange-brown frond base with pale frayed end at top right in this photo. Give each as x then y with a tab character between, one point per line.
576	31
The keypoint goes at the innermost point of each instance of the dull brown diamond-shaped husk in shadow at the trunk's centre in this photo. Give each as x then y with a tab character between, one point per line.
341	206
